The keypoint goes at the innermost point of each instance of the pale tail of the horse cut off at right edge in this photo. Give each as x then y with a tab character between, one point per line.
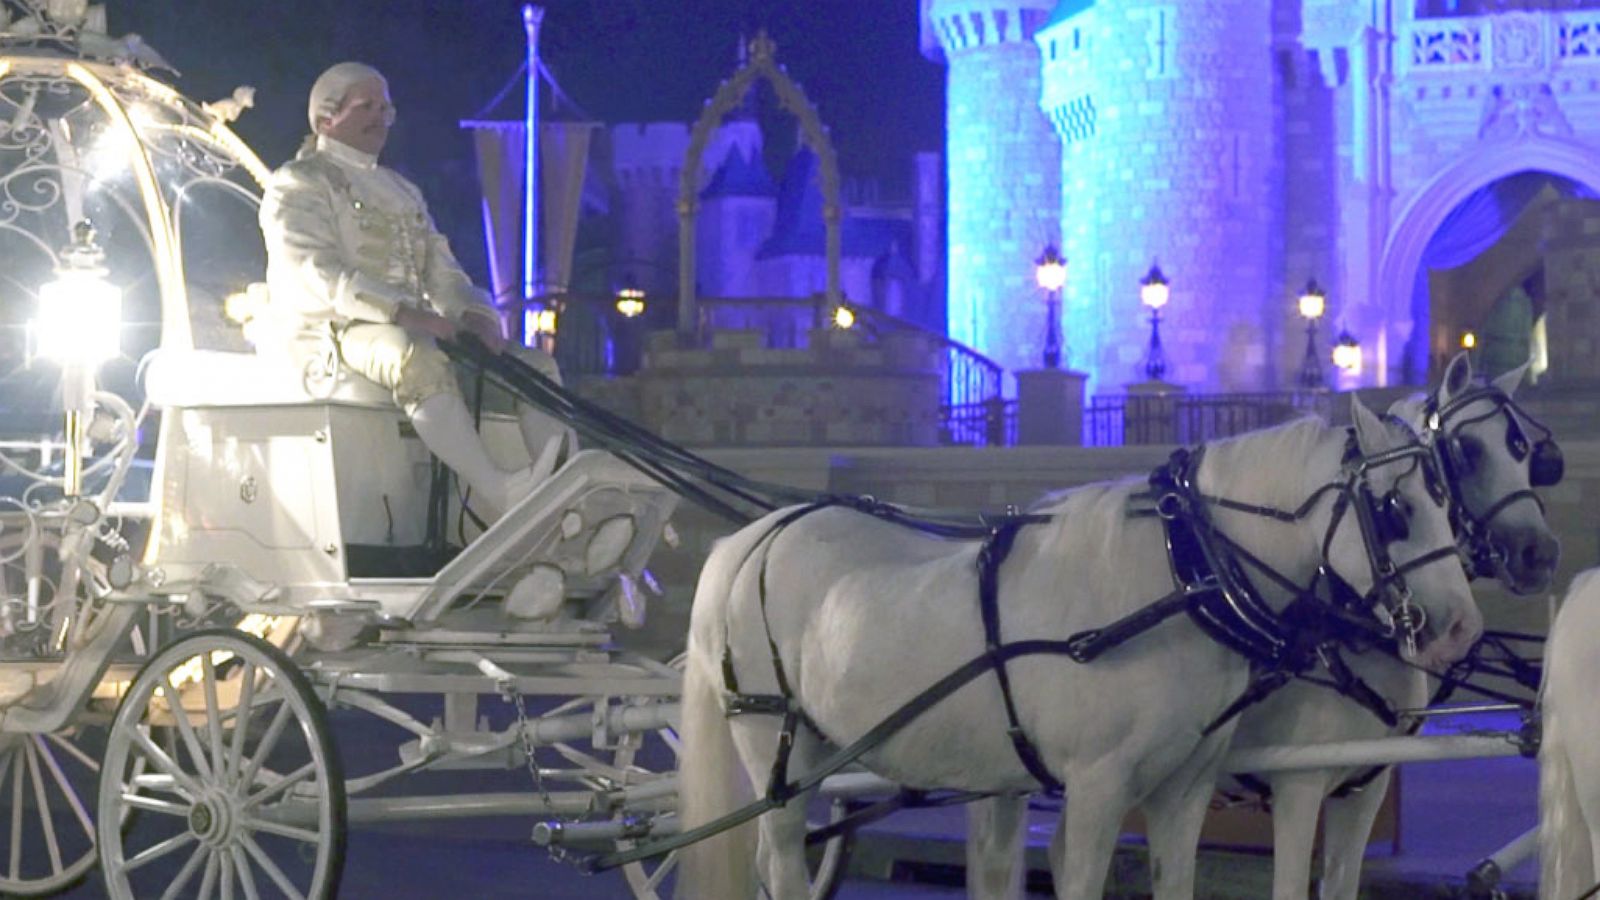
1566	848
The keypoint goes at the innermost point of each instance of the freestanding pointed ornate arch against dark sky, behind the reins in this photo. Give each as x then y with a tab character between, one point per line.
762	63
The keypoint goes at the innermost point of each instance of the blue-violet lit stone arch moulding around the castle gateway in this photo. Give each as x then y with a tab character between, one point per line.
1428	207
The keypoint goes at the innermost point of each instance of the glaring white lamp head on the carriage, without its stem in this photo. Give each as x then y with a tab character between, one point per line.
79	311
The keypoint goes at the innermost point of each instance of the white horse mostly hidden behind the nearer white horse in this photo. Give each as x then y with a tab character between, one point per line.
1490	481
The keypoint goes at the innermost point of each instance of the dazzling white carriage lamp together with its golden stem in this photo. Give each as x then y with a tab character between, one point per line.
79	326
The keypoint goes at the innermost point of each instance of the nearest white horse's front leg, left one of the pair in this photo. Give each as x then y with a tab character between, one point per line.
1087	835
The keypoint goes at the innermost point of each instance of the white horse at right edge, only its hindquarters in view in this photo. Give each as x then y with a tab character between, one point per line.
1570	749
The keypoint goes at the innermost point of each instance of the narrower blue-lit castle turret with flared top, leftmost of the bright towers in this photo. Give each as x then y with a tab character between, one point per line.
1004	174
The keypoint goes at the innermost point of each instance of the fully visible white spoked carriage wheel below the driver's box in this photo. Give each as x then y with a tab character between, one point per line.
238	784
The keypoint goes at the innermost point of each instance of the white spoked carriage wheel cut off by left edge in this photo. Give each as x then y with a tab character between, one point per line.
47	835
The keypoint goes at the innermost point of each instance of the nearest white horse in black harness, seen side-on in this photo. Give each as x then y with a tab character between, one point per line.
863	614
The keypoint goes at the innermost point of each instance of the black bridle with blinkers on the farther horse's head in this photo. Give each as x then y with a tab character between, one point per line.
1442	432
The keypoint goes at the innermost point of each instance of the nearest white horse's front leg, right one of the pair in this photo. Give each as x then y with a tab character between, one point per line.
1174	813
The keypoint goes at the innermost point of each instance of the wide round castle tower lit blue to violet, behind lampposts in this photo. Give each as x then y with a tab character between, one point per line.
1170	153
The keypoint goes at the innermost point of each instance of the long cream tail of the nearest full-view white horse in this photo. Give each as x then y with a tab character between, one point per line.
711	774
